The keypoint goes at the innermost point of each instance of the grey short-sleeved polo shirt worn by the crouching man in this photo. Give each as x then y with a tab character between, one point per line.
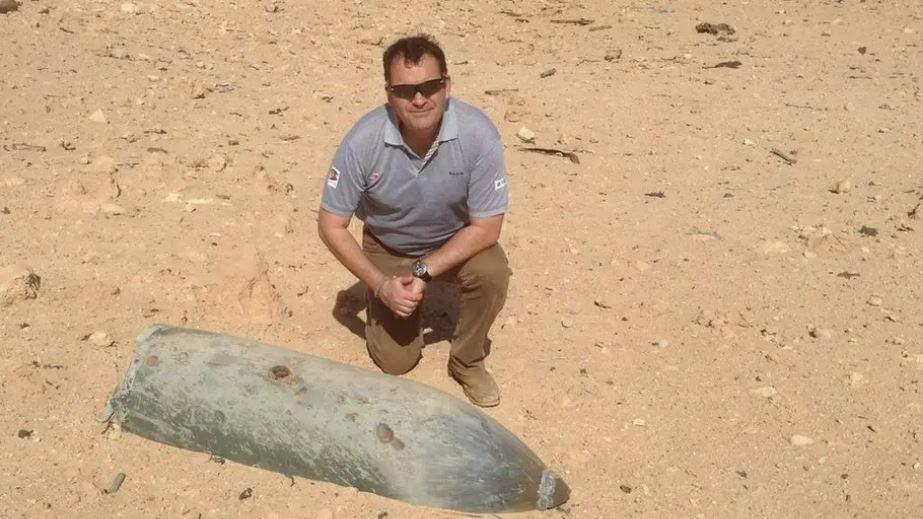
415	204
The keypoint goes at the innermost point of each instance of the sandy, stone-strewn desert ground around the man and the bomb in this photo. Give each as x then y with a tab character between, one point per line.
695	327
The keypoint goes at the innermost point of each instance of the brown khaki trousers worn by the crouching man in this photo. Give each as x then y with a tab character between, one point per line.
395	344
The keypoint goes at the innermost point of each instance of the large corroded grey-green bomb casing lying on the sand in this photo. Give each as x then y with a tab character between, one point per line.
301	415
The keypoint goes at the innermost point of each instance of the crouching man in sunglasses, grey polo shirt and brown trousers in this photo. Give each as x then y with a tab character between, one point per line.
426	175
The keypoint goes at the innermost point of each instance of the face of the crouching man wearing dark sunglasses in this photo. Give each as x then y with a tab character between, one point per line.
417	112
